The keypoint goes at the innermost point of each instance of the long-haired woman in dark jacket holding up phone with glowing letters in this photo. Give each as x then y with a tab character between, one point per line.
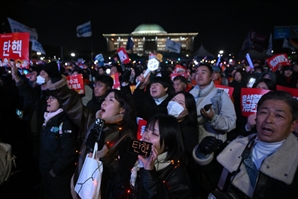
163	174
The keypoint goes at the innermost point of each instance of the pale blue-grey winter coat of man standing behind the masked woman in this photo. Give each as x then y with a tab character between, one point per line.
224	119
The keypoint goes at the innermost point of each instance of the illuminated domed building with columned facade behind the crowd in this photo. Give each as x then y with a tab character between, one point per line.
148	38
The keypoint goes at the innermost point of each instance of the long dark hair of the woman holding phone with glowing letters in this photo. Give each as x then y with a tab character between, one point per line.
170	135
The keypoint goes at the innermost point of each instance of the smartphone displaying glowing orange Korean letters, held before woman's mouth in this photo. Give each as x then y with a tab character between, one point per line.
138	147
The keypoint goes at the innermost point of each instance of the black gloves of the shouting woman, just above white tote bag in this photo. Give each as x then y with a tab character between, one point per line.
96	135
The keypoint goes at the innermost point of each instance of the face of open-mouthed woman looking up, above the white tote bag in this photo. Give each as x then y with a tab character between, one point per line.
110	107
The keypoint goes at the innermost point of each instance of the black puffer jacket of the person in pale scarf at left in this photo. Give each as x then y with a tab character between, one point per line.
58	151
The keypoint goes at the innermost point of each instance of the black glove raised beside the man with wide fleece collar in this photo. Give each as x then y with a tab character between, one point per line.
208	145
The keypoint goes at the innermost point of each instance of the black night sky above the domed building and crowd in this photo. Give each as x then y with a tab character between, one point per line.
220	24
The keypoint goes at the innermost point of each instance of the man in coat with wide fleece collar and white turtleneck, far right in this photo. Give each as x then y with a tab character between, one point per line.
263	164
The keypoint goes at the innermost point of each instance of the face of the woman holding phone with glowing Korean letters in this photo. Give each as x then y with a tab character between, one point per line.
152	135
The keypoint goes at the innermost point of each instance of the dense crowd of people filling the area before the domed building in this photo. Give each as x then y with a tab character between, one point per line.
202	145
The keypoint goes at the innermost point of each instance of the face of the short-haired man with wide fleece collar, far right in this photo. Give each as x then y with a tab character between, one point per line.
274	121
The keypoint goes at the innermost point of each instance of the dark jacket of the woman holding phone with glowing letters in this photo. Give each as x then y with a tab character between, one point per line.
169	182
